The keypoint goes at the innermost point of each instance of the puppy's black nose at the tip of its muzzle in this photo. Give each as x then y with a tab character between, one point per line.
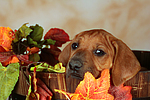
75	64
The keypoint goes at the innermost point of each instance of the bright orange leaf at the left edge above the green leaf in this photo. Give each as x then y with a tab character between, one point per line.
6	37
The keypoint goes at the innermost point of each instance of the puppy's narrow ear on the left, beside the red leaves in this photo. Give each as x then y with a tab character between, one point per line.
65	54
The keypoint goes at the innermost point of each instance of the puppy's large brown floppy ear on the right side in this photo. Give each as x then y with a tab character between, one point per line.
125	64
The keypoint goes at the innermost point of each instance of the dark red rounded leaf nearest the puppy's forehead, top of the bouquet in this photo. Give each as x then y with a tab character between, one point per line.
59	35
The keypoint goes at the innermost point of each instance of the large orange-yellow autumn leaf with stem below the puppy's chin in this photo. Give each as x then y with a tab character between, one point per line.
91	88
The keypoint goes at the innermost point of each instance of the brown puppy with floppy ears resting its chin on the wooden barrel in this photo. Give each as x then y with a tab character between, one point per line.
95	50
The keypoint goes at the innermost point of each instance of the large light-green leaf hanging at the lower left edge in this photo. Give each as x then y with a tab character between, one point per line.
8	78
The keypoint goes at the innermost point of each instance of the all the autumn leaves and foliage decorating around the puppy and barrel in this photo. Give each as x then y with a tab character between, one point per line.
25	46
